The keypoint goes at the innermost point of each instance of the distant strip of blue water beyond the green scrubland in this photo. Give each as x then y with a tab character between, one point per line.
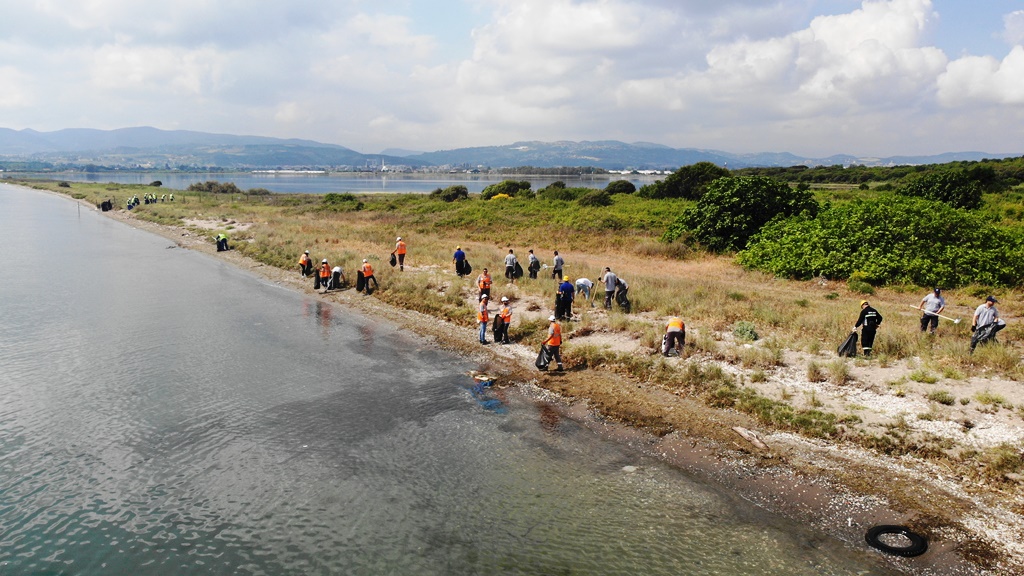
322	184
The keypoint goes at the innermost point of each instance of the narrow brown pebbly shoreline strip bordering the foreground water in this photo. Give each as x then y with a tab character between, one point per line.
841	491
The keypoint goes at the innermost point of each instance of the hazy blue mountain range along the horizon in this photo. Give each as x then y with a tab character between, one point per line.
152	148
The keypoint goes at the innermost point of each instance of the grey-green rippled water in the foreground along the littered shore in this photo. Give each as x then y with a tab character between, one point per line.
163	413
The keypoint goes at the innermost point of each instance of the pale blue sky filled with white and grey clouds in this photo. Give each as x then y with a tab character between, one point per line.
872	78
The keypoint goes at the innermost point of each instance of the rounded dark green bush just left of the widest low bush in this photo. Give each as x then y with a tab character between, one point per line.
735	210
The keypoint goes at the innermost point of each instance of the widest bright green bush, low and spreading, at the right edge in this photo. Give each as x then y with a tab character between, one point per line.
890	240
